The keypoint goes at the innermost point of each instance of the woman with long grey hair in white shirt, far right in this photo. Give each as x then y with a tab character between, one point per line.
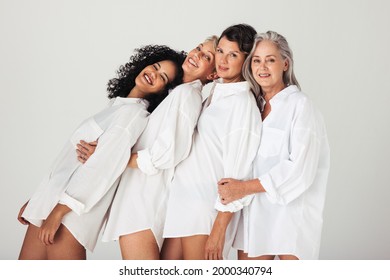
284	218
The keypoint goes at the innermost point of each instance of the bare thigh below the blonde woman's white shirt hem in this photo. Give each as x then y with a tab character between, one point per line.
139	246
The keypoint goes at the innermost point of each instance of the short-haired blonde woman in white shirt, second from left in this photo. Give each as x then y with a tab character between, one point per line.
137	214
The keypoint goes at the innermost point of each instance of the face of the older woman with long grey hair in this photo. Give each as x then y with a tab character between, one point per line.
268	66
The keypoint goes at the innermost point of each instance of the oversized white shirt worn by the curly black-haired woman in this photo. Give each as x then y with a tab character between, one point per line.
88	188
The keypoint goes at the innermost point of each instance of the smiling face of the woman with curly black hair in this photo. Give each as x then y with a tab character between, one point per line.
155	77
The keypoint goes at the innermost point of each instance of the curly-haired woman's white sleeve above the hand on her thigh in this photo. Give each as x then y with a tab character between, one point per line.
93	179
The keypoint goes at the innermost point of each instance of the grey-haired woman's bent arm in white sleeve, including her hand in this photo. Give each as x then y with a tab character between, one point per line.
292	176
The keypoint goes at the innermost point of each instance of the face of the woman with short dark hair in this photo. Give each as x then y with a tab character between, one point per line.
229	60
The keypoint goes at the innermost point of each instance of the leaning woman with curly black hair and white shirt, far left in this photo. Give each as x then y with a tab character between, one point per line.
67	212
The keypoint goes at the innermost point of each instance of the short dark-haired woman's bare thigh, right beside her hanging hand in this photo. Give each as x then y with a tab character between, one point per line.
194	247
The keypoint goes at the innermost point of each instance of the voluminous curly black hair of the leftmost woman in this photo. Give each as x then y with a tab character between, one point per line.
145	56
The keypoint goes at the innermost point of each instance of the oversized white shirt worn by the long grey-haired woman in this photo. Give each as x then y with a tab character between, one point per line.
292	164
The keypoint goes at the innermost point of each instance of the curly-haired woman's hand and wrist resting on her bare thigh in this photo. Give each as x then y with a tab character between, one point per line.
50	226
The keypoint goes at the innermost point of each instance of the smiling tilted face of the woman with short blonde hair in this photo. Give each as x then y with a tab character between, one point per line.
200	63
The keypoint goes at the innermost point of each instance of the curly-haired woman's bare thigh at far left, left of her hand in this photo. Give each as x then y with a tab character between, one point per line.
32	248
